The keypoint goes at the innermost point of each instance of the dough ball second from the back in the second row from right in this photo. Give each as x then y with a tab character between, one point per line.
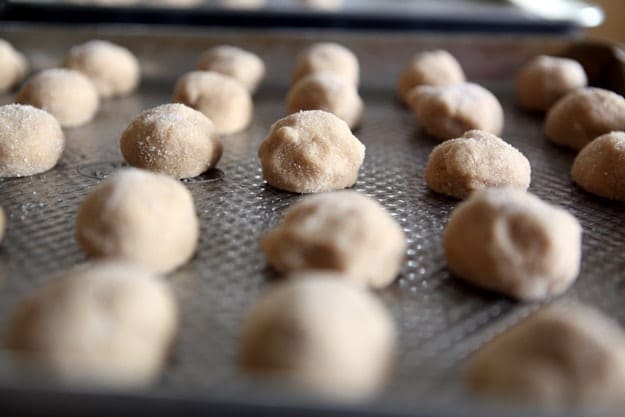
446	112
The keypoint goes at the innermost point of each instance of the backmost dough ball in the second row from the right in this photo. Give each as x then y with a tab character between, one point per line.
430	68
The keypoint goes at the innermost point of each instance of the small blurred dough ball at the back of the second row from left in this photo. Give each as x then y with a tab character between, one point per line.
242	65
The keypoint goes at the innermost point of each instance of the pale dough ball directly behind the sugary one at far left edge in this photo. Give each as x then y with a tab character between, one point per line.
66	94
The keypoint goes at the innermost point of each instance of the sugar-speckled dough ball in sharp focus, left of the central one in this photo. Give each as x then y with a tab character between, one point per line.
173	139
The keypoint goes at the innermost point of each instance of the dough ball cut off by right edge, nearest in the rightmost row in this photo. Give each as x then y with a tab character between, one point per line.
600	166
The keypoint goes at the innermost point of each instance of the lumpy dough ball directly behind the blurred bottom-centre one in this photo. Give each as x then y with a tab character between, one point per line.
343	231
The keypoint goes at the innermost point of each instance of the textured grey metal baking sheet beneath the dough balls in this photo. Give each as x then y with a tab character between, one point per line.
441	320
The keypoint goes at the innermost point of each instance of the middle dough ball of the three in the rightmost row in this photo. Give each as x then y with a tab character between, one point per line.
583	115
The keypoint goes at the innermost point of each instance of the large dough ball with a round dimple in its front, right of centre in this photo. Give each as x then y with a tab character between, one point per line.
512	242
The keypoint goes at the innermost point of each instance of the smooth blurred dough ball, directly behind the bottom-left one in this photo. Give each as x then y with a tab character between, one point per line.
141	217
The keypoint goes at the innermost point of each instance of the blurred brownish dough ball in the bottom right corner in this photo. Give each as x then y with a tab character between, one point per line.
565	355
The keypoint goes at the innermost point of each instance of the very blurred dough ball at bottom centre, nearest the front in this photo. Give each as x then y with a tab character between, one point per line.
324	335
